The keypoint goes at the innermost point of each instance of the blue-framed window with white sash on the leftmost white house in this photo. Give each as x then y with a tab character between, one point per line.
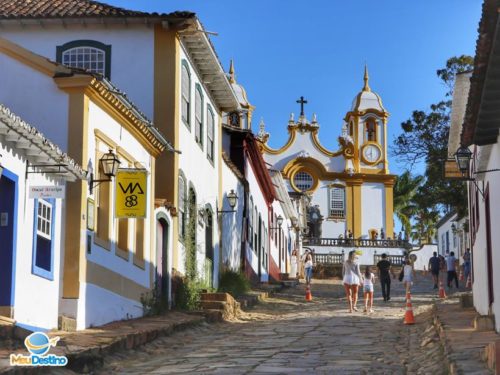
43	238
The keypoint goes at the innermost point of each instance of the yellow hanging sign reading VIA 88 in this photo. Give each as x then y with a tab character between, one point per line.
131	193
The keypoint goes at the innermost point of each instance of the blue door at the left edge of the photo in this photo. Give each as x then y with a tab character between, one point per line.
8	217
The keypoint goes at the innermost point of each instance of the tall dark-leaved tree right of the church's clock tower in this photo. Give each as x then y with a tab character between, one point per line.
425	139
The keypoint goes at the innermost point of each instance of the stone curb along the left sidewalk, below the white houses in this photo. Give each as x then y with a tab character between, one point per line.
92	358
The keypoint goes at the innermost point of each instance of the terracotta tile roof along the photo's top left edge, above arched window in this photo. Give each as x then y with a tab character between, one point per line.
34	9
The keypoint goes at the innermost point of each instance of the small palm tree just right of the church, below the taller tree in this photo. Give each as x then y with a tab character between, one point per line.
405	190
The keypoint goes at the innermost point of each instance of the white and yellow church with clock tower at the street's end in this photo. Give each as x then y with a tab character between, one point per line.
350	190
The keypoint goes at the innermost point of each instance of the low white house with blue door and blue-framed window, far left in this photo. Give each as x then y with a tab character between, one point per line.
33	179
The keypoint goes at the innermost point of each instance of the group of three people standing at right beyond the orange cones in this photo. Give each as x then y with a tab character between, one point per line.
449	263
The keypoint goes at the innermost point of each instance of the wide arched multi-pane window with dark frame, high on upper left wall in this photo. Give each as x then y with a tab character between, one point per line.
86	54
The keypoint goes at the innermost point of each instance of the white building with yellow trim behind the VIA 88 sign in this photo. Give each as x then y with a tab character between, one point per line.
108	258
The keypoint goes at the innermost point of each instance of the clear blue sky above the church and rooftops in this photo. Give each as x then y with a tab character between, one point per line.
285	49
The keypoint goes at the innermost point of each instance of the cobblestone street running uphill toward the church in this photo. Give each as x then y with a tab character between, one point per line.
286	335
